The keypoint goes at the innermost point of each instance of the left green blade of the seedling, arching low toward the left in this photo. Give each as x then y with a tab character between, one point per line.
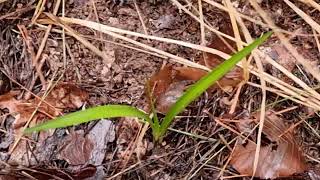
107	111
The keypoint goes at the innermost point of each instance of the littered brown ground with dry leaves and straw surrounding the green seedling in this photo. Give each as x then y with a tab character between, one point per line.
71	75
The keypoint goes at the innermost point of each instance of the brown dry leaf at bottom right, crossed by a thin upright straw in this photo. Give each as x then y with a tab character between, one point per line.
279	158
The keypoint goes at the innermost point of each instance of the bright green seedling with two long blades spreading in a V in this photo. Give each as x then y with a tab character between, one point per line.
158	128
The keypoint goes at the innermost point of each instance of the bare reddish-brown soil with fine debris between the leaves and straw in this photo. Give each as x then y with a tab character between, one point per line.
179	155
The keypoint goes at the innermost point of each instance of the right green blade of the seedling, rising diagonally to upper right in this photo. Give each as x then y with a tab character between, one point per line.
203	84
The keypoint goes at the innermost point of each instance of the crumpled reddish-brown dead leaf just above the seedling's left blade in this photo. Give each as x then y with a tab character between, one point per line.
63	97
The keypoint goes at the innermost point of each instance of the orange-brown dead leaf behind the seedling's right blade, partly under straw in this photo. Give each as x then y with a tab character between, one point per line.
170	82
